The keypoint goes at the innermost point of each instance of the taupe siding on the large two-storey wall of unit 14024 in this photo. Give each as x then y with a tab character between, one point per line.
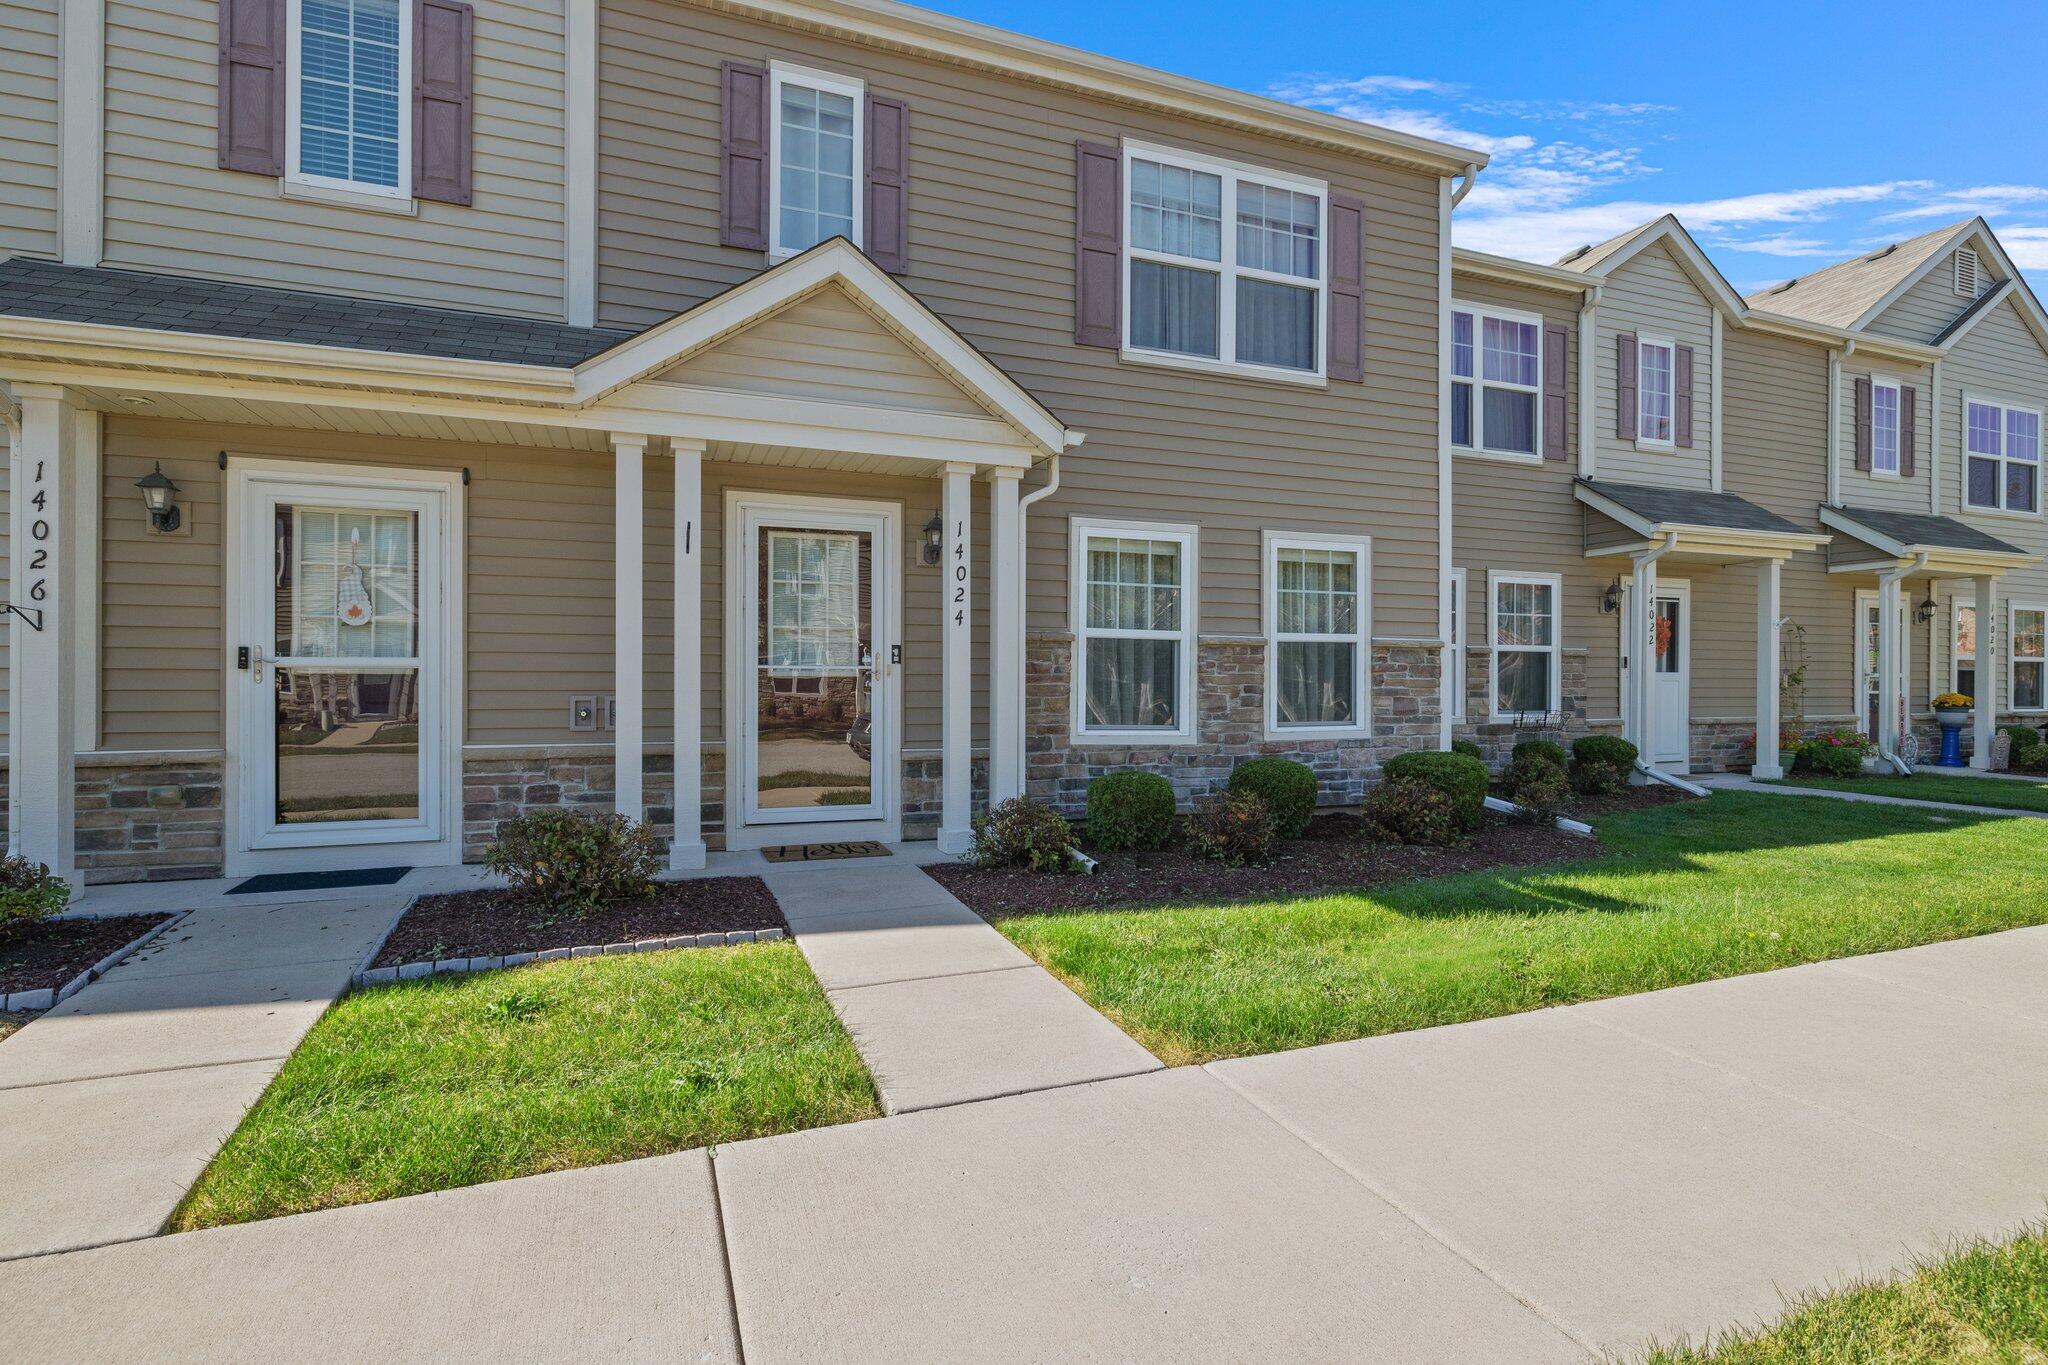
992	253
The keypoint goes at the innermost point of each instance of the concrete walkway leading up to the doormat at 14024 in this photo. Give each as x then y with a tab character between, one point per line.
943	1008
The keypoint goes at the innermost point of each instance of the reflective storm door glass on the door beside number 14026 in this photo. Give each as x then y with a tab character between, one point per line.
349	668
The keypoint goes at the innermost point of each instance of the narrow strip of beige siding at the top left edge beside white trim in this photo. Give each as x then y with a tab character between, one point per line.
30	128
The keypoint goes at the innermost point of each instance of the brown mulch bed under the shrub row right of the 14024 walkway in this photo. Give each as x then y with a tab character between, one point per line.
1328	861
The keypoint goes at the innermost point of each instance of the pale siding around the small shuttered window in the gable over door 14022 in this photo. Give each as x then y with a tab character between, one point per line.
1652	296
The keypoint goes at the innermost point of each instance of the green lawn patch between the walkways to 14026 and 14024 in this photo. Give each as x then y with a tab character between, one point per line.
462	1080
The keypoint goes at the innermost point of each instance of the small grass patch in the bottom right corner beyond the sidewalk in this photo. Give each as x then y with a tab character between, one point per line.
1986	1305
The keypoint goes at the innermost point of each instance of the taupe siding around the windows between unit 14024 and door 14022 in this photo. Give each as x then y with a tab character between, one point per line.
1523	519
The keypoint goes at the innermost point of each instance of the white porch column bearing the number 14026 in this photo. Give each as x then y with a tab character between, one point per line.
42	662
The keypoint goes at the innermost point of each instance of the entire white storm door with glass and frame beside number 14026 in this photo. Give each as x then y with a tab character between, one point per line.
341	672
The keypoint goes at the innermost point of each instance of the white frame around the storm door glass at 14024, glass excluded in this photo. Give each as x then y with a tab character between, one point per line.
746	513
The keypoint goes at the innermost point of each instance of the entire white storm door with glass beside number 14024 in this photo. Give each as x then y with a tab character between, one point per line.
812	674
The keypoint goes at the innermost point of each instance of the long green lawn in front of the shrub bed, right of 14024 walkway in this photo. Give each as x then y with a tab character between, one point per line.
1738	883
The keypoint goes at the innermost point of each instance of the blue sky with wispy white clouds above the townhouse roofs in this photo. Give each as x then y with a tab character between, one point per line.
1787	136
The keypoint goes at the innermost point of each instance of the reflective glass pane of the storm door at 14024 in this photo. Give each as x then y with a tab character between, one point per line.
814	695
